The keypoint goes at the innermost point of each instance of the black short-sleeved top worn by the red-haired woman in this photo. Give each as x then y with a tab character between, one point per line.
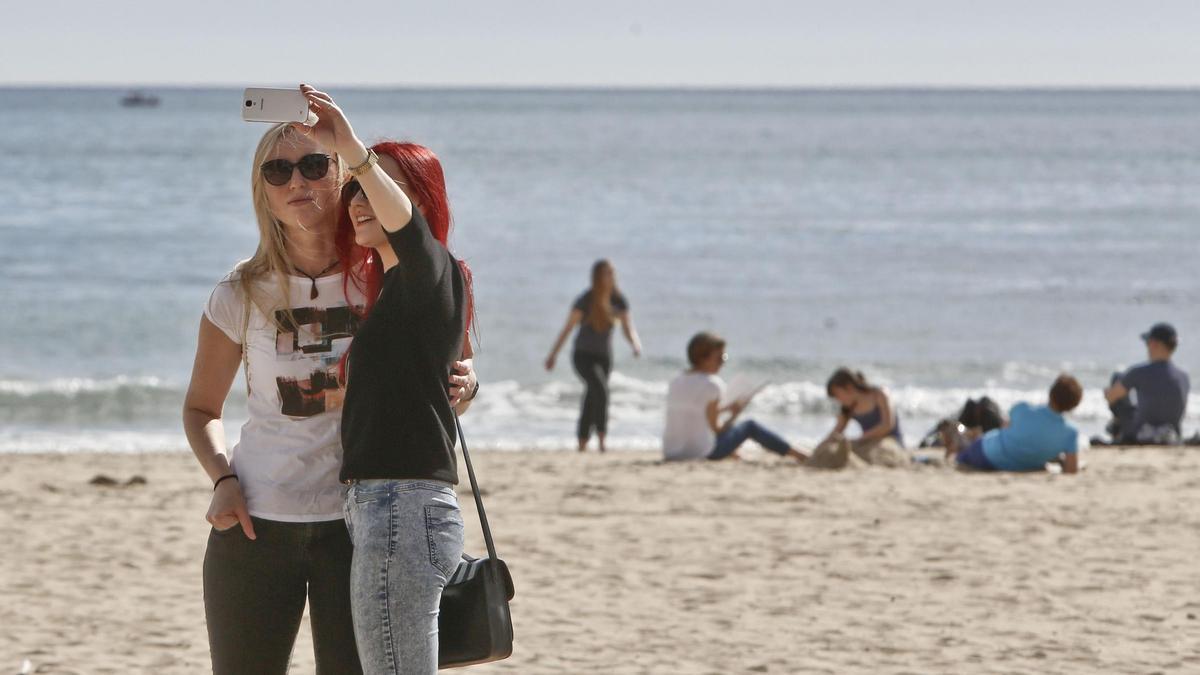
397	420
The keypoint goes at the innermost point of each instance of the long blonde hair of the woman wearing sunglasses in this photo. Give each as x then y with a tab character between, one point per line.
272	259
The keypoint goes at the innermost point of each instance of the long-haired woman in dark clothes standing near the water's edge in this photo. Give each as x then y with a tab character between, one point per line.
597	312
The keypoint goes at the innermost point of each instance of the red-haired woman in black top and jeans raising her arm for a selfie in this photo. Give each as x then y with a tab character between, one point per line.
399	431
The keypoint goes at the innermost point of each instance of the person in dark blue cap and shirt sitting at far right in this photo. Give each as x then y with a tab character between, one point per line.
1155	413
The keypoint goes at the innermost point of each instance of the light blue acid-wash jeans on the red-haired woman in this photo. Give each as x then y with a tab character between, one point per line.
407	539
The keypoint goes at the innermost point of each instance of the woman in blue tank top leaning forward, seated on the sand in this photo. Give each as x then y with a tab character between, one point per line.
880	443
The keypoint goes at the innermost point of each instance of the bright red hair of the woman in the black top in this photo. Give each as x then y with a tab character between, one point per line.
427	183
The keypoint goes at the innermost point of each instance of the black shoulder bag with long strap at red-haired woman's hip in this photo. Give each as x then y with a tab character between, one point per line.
475	625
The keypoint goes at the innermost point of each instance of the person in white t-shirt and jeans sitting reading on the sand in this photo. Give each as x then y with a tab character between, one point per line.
694	408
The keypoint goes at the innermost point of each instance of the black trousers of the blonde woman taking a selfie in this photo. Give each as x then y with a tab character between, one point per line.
255	593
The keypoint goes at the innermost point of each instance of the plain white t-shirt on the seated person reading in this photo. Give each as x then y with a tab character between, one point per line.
688	434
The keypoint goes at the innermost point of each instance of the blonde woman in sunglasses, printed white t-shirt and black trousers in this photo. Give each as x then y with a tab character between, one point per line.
290	313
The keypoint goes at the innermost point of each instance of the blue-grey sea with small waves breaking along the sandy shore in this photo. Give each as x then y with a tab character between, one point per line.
946	243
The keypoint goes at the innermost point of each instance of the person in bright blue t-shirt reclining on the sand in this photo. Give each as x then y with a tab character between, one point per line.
1035	435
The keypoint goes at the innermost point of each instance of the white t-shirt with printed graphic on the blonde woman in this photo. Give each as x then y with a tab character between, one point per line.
291	450
